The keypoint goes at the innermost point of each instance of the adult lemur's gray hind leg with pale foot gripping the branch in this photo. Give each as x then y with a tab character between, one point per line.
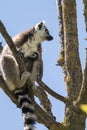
10	72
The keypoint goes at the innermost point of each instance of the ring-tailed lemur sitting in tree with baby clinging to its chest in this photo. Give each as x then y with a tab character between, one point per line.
28	42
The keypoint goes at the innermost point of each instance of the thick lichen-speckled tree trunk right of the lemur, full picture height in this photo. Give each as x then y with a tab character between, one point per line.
74	119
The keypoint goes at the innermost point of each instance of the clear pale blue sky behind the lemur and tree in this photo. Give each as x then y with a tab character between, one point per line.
19	15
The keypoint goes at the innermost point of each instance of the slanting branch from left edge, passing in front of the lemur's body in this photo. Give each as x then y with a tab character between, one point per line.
18	56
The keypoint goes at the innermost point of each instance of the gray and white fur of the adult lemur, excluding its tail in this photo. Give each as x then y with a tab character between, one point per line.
27	42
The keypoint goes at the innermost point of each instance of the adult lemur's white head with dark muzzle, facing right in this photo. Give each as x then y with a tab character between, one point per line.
43	32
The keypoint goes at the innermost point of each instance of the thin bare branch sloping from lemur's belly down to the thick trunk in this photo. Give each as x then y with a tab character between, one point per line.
51	92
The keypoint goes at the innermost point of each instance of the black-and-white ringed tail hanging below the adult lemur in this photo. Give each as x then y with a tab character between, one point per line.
28	111
